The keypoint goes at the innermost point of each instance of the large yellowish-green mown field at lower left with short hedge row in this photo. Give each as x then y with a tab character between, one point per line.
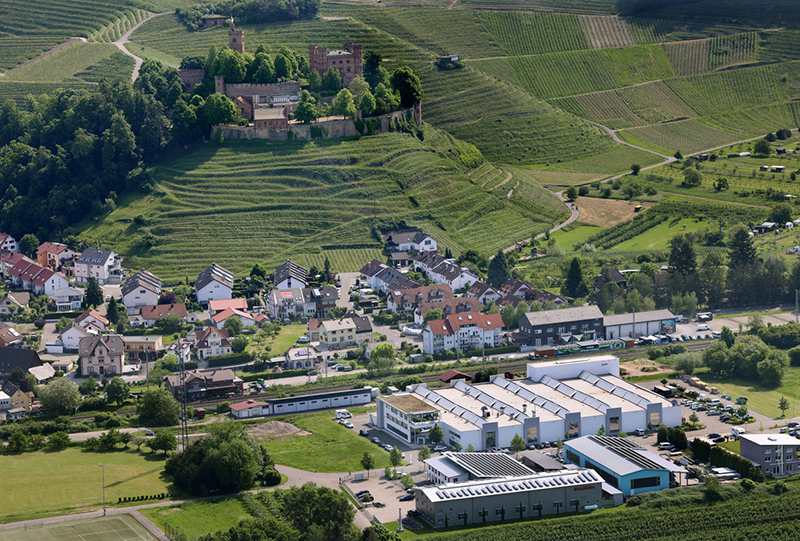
72	477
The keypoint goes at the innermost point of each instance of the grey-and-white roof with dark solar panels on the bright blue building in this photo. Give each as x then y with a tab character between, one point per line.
620	455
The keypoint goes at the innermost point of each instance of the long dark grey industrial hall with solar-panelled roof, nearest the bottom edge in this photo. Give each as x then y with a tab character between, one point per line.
497	500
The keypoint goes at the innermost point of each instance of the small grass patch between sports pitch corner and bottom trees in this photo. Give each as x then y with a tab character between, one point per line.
199	518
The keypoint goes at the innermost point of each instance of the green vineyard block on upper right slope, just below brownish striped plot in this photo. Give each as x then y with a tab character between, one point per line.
582	72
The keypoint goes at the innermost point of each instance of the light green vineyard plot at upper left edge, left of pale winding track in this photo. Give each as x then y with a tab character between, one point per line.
64	63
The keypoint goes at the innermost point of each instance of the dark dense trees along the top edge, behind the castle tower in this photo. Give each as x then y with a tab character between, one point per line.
251	11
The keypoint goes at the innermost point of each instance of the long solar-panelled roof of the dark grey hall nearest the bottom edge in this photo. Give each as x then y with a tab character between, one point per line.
487	487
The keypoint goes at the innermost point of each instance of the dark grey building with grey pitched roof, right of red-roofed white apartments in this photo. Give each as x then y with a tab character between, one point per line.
548	327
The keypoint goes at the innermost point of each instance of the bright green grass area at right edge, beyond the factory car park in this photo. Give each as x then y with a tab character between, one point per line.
762	399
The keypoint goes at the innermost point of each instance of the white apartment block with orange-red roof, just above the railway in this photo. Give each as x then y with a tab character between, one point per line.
463	332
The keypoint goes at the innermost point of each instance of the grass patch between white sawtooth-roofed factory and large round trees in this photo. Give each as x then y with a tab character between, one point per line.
328	445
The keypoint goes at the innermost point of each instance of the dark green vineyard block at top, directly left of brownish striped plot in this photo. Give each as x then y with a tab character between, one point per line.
535	33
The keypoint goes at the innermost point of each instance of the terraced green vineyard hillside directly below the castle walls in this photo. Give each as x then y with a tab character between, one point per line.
292	199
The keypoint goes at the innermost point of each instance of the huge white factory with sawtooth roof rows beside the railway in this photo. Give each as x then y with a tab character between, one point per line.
559	399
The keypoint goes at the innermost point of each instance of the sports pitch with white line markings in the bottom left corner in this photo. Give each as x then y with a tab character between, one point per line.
118	528
